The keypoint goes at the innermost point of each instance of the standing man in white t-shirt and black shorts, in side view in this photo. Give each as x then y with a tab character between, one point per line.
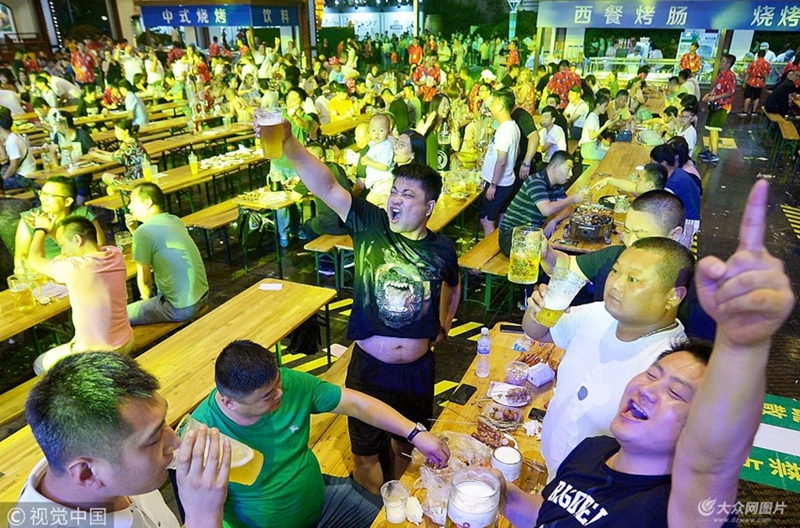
498	166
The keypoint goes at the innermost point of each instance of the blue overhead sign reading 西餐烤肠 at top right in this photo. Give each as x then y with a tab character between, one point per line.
772	15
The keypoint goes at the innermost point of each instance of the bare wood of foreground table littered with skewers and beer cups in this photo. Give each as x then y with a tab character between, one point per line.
464	418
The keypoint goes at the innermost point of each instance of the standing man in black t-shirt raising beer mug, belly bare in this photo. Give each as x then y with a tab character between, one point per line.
405	294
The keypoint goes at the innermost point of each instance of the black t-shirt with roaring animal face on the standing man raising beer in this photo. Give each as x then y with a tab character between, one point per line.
398	281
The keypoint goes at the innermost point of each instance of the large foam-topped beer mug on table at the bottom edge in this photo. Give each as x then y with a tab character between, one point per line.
474	499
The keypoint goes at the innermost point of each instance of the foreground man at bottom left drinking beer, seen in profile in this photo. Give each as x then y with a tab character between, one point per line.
103	428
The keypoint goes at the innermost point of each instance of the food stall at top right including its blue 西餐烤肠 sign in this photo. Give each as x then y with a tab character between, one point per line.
718	27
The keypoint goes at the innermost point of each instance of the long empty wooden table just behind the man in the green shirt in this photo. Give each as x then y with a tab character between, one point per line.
184	363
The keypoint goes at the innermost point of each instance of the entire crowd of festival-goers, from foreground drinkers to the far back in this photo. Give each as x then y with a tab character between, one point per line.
661	385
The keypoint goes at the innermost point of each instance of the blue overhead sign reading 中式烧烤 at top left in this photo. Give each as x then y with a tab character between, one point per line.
219	15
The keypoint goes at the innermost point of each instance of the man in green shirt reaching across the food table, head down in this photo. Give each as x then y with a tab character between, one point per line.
268	409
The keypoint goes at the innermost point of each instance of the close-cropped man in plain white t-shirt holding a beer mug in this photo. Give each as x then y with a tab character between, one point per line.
608	342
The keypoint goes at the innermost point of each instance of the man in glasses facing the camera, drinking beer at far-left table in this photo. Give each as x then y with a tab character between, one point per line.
58	202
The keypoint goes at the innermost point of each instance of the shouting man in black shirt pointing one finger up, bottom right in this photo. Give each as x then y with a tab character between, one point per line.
684	426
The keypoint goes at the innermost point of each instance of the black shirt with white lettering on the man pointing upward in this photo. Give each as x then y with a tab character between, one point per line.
586	492
